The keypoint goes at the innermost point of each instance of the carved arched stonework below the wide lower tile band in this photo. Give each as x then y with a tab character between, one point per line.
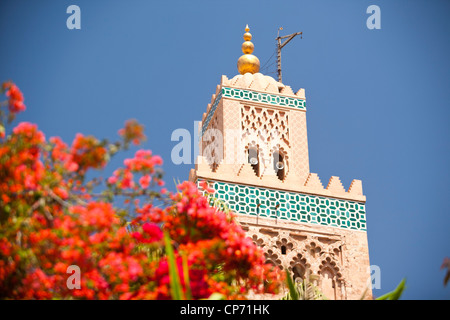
306	253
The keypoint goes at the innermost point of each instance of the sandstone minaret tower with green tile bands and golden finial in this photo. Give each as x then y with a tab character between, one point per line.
254	153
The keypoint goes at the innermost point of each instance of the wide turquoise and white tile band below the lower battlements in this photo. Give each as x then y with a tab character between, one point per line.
291	206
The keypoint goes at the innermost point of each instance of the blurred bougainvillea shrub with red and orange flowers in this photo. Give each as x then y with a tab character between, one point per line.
130	241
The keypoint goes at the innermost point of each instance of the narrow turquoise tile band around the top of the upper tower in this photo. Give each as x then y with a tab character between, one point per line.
248	95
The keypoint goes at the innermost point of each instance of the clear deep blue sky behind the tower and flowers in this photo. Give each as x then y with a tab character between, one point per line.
378	100
